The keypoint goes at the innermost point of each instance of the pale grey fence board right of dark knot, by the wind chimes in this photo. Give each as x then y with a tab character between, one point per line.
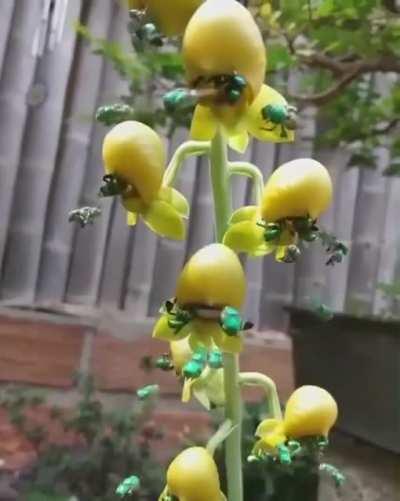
32	188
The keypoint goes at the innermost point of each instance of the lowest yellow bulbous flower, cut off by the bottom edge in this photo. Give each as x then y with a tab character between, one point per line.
193	476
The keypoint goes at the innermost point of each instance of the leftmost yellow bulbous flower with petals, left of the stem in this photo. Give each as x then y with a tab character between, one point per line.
135	156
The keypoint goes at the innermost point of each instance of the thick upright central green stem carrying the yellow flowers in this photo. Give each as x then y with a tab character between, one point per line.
233	407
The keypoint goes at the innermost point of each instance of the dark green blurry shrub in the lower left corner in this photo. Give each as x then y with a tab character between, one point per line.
114	444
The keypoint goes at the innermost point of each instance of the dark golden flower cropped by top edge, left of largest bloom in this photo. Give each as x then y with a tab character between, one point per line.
171	17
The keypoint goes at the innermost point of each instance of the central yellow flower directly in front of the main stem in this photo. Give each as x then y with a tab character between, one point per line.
211	280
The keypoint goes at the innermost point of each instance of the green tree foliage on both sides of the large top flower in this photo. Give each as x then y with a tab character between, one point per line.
338	46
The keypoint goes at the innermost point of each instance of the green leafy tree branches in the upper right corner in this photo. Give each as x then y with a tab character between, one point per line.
339	47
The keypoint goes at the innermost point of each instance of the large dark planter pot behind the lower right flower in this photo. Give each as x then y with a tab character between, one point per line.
358	361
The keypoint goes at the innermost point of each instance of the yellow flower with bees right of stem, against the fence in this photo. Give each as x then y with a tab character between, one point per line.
295	195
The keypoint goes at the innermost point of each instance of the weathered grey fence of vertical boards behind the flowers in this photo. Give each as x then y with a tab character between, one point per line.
50	163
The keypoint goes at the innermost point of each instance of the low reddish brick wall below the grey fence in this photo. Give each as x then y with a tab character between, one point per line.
46	350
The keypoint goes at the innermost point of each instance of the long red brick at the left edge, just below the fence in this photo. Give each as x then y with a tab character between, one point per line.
39	352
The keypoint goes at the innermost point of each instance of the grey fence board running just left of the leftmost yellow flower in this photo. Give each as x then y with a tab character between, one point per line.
74	149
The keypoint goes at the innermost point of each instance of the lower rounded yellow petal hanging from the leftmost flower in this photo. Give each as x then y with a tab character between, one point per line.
164	220
